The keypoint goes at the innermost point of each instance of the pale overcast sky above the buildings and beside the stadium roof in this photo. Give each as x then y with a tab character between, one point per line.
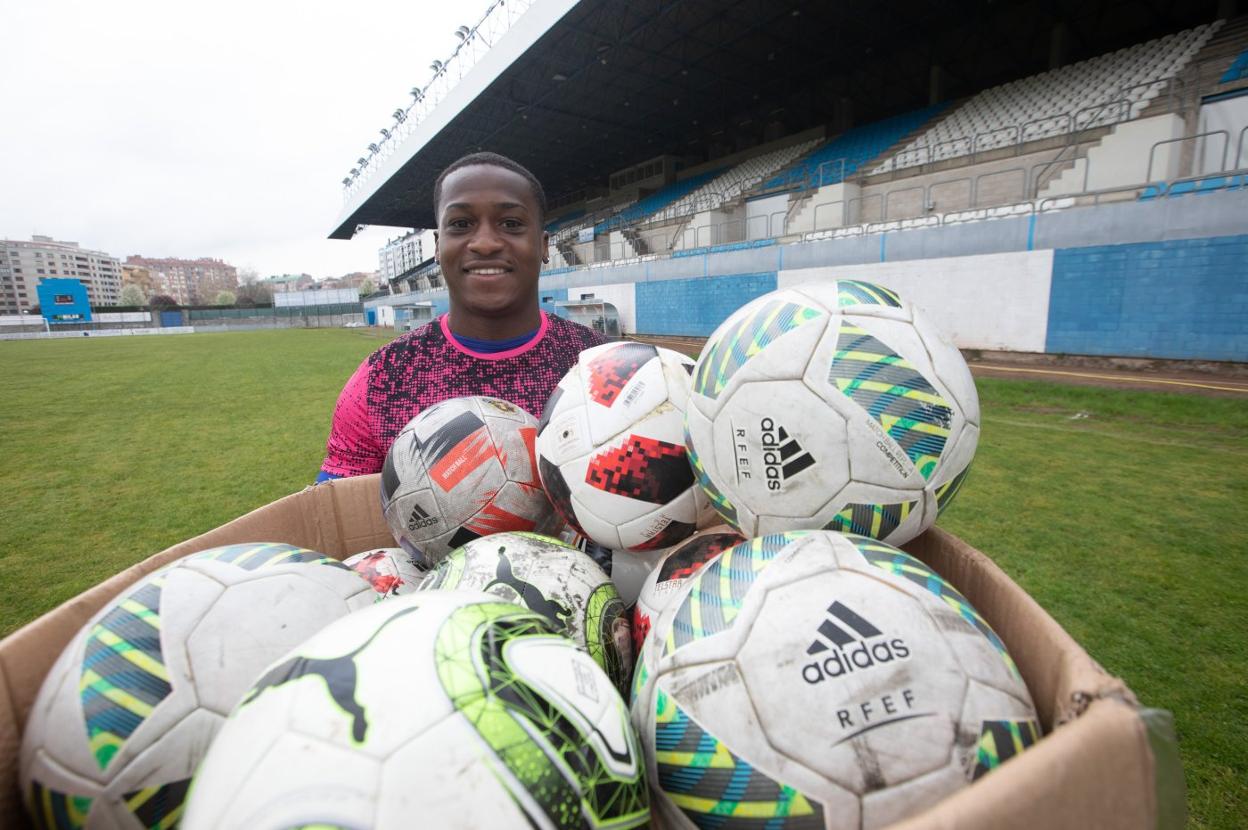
217	129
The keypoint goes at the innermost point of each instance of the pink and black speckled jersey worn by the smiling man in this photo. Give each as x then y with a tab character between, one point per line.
429	366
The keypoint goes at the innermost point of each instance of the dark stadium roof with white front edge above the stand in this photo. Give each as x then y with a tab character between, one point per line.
580	90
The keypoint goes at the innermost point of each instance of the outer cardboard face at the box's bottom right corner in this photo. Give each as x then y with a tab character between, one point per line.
1095	772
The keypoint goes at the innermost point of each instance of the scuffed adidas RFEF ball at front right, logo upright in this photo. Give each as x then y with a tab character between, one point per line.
834	680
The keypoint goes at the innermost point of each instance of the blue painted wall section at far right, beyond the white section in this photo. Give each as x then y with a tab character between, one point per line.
1181	299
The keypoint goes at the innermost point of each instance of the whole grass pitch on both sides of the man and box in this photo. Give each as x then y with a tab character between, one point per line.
1123	514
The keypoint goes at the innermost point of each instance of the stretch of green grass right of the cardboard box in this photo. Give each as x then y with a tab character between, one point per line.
1123	515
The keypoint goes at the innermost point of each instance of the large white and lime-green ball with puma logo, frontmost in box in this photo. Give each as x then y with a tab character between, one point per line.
437	710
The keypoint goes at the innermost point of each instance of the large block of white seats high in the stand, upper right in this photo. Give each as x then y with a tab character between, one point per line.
1095	93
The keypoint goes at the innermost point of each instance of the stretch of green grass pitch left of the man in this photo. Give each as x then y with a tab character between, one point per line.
119	447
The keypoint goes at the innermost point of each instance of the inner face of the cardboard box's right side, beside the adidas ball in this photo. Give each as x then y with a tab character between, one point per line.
1060	675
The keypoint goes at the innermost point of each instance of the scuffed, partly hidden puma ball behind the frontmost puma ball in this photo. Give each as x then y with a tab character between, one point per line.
553	580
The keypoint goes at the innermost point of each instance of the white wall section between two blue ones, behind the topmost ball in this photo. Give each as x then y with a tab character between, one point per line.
995	301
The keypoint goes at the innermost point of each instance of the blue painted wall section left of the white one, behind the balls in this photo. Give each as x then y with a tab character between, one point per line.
697	306
